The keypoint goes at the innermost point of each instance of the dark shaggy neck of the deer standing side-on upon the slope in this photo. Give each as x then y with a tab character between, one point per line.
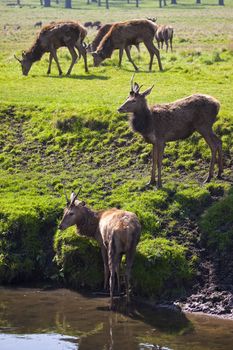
141	121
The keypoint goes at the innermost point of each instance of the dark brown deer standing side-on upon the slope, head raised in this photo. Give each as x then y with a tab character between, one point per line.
173	121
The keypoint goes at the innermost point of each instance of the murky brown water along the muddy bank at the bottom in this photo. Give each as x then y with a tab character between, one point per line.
65	320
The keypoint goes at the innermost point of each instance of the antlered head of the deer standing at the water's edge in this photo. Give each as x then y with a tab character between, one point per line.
73	212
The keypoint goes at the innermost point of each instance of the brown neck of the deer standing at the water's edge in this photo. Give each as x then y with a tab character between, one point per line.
88	224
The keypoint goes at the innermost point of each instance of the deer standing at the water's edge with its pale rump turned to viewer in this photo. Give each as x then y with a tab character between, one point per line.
116	231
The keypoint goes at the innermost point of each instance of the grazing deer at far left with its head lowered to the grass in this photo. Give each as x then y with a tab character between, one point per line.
51	37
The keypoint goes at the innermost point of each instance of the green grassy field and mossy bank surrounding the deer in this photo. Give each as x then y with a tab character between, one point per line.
57	130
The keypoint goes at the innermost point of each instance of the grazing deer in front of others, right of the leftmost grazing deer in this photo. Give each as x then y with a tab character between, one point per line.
124	34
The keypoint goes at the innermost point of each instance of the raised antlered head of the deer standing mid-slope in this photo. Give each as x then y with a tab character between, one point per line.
136	100
